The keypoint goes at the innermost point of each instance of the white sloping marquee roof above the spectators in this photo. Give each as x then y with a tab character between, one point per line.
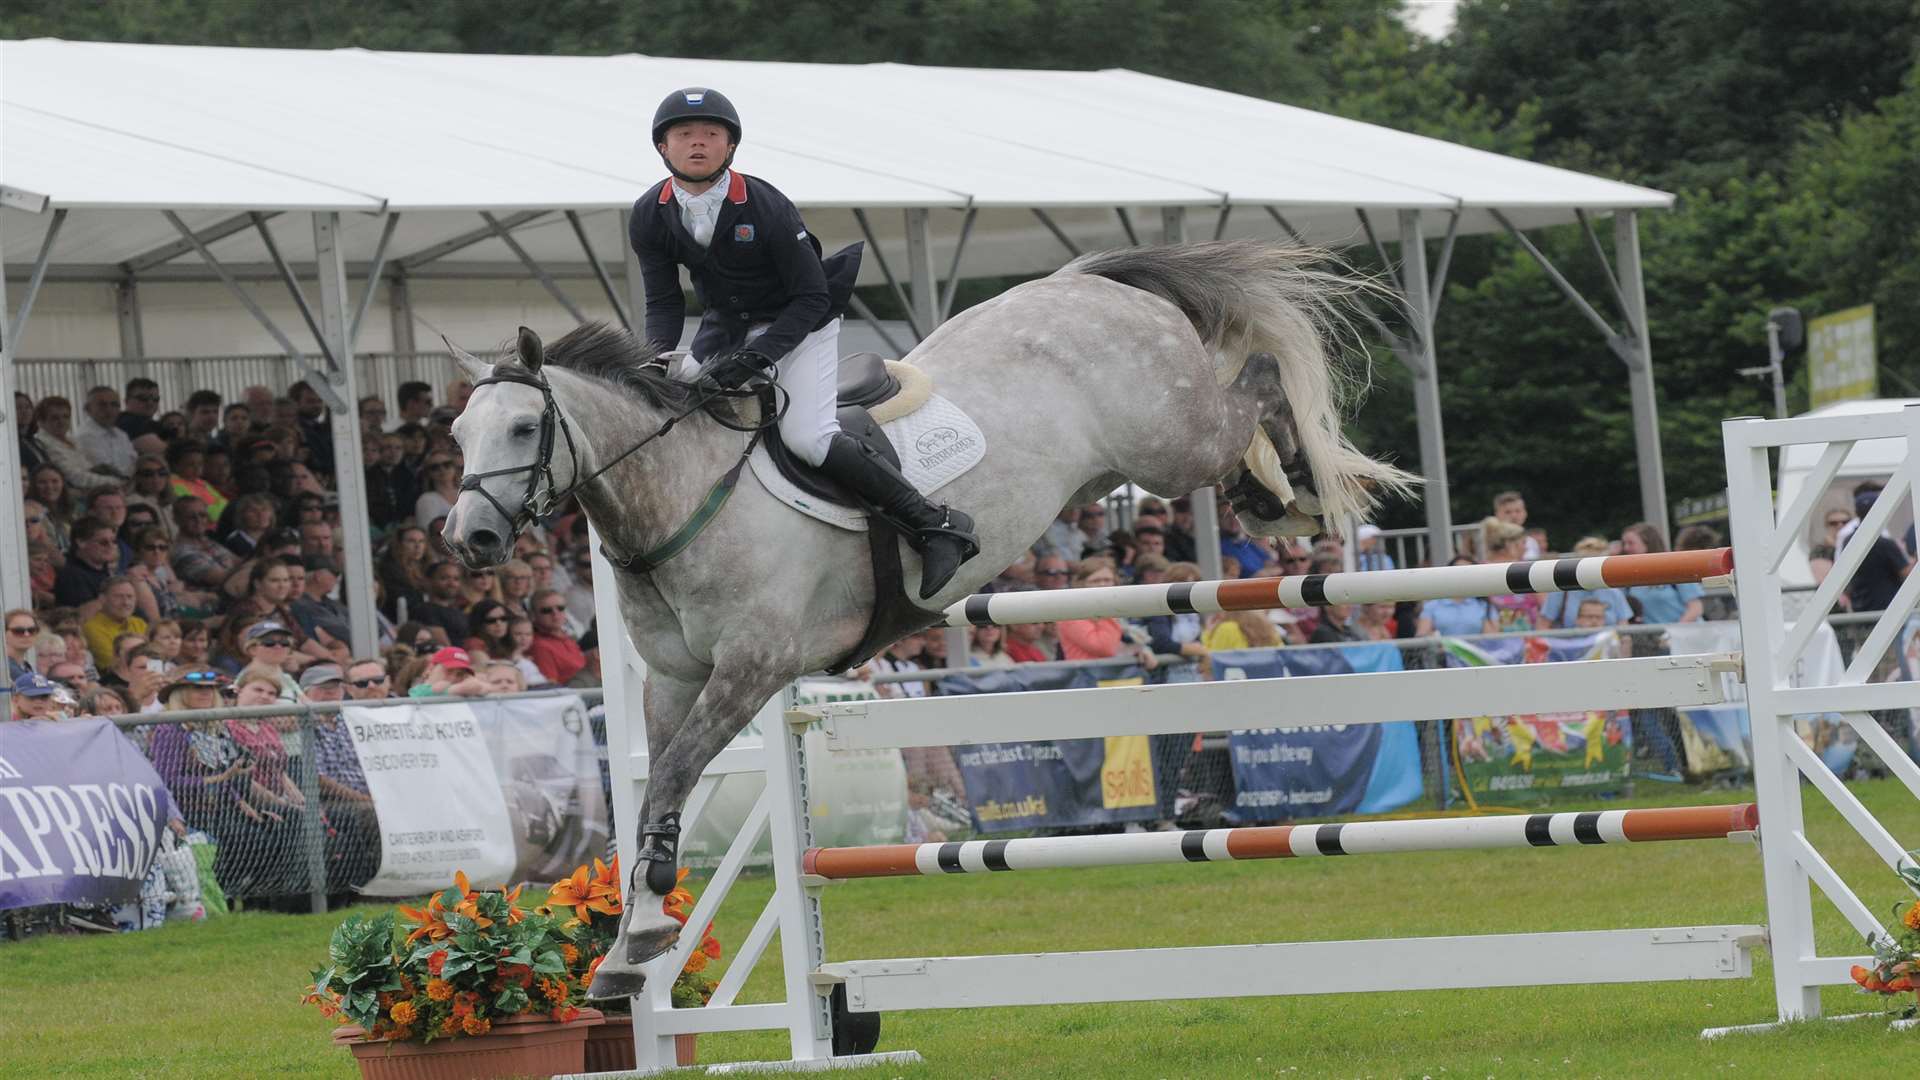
118	132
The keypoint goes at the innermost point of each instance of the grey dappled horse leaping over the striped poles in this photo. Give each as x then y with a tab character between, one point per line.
1147	364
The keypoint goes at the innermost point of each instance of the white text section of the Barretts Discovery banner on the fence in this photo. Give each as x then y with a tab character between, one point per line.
437	798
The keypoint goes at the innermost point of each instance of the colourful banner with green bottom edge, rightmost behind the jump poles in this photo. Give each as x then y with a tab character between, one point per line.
1541	754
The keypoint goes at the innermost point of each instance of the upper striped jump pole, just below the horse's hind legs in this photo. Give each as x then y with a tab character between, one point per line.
1320	591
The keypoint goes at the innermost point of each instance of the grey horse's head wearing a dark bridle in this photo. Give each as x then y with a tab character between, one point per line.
519	454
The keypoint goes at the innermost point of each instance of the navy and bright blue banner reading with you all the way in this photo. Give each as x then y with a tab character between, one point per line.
1307	768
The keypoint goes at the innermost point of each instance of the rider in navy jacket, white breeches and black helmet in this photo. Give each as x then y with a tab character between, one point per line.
773	310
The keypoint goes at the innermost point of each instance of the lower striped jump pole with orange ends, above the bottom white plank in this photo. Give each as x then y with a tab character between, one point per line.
1284	843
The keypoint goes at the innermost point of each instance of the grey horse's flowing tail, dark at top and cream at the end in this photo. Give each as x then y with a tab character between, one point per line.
1247	297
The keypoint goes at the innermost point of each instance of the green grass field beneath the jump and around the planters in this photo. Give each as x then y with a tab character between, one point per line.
224	998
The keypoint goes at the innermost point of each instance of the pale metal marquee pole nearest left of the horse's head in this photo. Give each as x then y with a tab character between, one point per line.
350	466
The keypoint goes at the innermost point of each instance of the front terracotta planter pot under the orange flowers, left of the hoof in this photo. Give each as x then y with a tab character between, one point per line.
517	1046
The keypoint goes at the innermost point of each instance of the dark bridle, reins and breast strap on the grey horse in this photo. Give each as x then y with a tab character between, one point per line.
533	506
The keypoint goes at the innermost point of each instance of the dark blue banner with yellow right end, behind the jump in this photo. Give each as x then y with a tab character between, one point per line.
1055	783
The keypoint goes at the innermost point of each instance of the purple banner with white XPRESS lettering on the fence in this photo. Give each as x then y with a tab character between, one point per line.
82	814
